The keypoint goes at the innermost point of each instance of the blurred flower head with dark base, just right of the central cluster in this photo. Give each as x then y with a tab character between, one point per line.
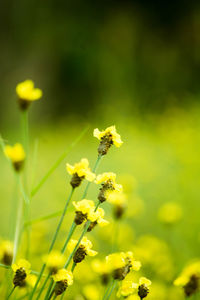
119	201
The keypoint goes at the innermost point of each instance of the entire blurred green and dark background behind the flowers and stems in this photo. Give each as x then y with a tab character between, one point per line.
135	64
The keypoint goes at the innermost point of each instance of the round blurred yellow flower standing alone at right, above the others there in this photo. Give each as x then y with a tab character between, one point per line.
170	213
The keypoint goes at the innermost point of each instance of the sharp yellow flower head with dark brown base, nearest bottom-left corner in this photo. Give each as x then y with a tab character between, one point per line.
21	270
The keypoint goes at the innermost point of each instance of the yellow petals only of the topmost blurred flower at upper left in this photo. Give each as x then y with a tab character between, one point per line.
26	91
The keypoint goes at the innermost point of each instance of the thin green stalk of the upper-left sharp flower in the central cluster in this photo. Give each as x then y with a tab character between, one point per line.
53	241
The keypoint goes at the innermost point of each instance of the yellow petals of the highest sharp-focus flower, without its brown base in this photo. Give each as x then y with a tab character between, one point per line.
111	133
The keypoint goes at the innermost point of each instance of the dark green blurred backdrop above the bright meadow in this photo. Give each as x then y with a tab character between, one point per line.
85	53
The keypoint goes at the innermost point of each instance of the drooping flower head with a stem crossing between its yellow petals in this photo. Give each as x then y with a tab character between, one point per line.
83	249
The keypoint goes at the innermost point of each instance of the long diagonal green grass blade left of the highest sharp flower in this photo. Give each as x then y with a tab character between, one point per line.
58	162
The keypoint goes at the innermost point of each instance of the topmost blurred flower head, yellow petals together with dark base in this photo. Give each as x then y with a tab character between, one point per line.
27	93
